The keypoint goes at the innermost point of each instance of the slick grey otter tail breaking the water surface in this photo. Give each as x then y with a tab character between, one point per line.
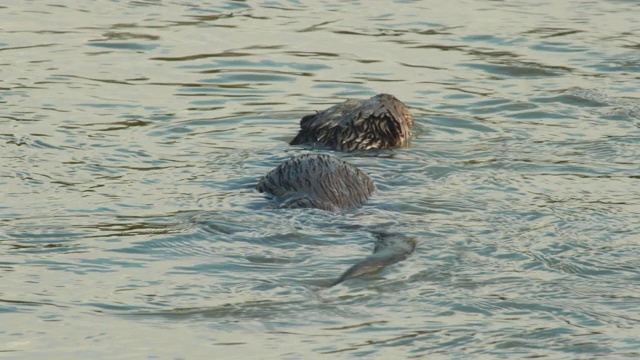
390	249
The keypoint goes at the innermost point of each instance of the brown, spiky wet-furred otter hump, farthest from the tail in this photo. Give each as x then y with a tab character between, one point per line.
380	122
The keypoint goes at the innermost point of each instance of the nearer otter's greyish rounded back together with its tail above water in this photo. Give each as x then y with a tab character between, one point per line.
325	182
